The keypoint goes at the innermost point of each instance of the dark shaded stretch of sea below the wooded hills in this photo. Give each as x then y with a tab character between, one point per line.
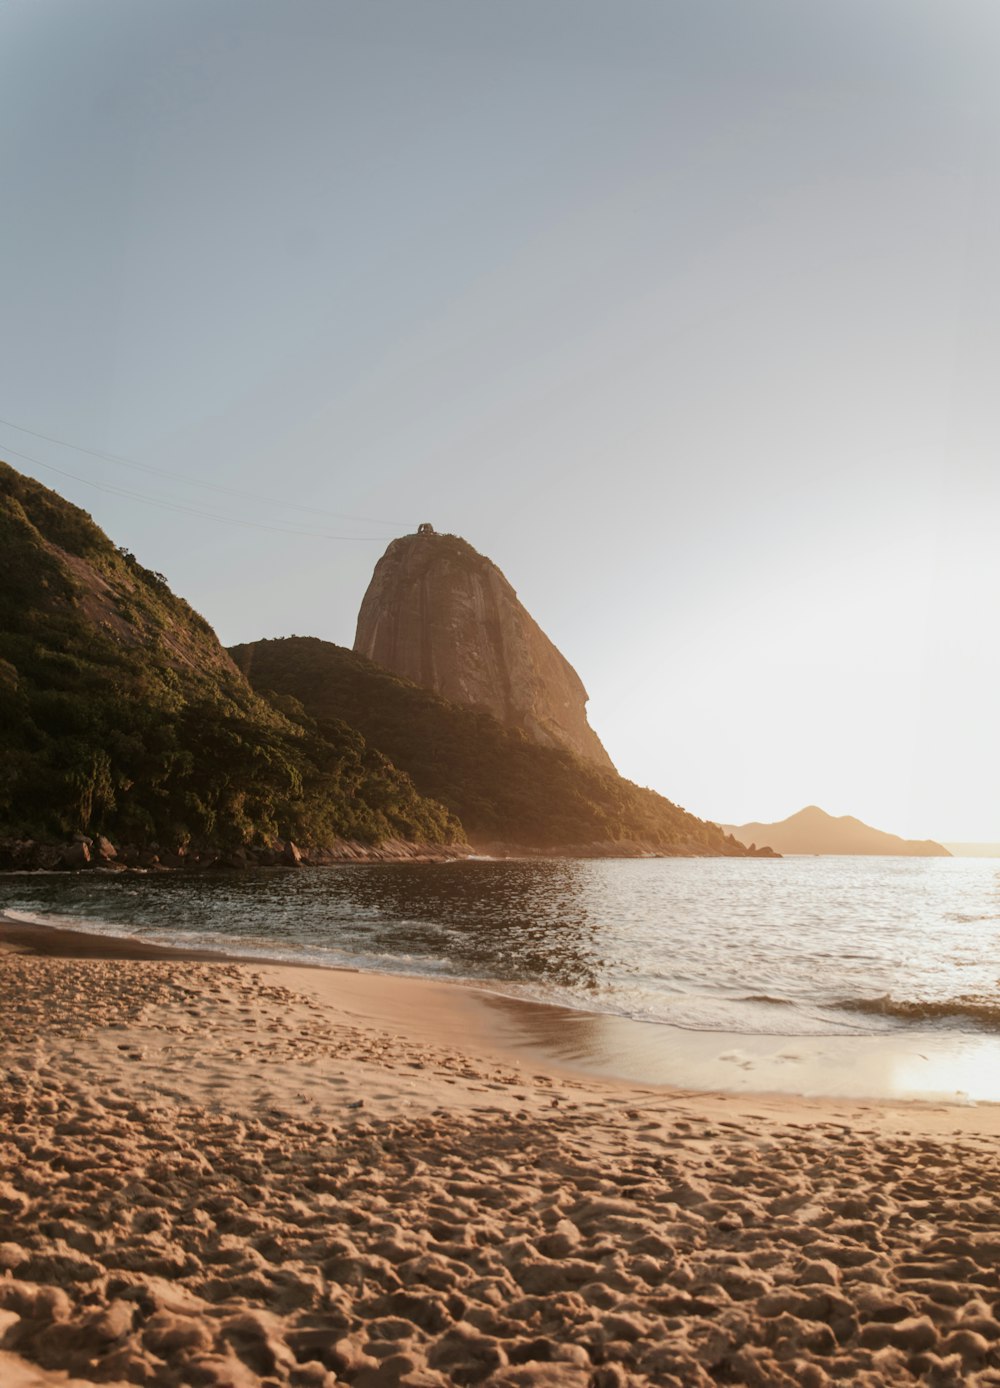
503	921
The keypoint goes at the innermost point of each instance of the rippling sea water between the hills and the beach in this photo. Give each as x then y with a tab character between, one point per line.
795	947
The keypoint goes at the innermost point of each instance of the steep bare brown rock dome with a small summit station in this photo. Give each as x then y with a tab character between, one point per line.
444	617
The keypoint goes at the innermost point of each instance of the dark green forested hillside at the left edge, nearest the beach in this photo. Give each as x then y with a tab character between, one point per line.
123	717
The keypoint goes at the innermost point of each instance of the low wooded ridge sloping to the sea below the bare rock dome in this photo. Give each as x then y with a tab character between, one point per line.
506	789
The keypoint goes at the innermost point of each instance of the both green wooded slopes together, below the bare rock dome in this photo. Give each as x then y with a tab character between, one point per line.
123	716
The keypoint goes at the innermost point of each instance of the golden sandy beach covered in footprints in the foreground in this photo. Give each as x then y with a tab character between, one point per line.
223	1174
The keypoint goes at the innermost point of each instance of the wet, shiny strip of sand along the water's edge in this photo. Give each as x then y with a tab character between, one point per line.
898	1068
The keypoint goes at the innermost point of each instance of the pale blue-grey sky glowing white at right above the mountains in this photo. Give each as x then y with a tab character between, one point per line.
687	313
